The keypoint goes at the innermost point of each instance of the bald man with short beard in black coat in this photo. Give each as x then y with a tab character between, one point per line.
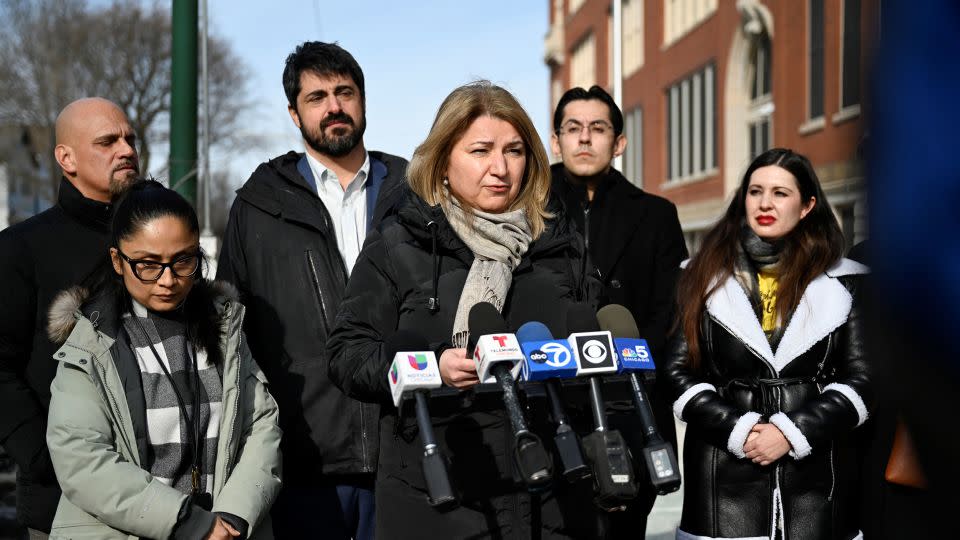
60	247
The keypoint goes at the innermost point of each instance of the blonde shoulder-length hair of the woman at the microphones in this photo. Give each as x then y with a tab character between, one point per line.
456	114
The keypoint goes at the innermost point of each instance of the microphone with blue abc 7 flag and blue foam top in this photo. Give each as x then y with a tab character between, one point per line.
547	360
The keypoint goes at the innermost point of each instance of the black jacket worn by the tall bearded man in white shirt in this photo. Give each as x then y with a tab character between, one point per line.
280	251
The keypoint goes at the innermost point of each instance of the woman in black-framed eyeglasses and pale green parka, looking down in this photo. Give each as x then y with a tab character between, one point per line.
160	423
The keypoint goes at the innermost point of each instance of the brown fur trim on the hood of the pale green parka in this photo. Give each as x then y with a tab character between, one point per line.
205	308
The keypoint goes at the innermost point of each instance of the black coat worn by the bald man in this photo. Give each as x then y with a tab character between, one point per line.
39	257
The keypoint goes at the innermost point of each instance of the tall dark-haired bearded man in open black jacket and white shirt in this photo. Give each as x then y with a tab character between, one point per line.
294	234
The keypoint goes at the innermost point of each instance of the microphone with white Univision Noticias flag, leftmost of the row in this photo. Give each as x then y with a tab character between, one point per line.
415	371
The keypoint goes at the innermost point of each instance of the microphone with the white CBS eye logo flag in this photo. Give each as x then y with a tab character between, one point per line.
605	448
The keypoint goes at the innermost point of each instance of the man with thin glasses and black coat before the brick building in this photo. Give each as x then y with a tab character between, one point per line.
635	241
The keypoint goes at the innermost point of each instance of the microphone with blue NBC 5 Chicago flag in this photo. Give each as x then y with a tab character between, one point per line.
659	456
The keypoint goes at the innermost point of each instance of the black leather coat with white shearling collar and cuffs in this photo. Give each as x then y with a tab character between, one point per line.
816	388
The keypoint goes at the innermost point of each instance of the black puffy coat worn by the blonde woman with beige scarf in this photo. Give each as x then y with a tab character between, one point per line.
389	291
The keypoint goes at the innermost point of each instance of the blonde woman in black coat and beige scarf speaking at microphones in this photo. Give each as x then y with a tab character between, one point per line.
474	228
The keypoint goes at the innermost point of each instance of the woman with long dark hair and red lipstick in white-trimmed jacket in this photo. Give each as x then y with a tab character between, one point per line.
769	366
